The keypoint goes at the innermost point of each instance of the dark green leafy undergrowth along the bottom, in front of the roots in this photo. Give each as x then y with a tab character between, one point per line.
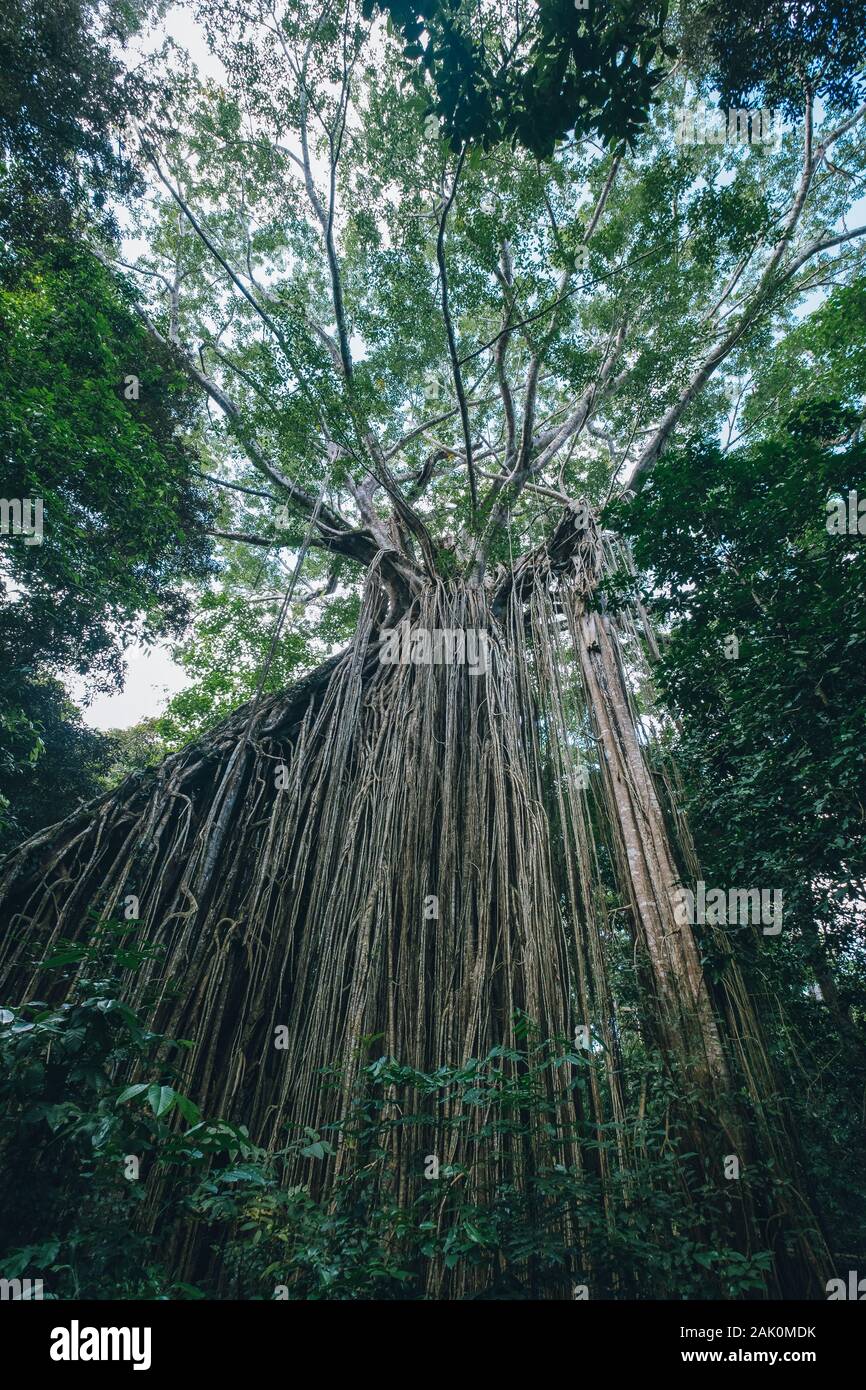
70	1118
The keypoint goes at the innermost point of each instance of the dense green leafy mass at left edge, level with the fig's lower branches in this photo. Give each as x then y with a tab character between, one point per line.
124	519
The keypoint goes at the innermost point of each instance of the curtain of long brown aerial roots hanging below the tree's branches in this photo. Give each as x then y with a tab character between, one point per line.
408	853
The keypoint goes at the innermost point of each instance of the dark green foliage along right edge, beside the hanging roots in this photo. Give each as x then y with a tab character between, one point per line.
771	743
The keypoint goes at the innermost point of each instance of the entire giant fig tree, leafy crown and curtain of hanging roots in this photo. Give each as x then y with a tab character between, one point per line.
429	368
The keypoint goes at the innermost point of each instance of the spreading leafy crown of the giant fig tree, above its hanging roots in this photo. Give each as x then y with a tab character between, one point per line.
459	337
